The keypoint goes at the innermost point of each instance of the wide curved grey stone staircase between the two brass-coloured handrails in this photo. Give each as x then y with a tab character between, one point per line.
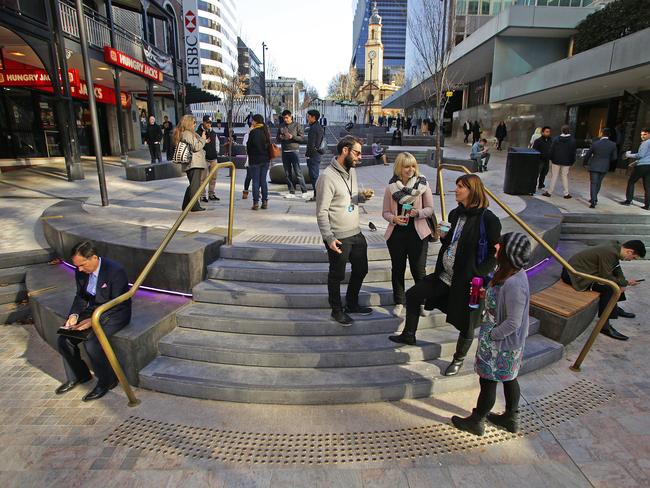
259	330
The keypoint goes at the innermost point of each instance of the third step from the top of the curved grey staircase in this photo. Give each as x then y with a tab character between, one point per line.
285	295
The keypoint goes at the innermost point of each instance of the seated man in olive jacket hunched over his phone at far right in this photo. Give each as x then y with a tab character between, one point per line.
604	261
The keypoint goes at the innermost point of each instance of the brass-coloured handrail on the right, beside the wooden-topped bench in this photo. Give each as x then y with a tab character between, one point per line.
614	286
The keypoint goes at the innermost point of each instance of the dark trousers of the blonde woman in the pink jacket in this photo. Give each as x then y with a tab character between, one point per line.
406	243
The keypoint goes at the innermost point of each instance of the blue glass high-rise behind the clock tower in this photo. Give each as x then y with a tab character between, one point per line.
393	14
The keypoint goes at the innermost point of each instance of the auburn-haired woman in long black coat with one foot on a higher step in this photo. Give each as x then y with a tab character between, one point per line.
447	289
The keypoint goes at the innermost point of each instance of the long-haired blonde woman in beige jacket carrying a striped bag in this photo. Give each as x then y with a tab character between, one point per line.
197	165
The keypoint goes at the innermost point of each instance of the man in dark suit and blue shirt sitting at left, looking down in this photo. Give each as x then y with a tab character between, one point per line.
98	280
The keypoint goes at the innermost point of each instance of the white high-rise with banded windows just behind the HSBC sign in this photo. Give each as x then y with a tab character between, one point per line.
218	27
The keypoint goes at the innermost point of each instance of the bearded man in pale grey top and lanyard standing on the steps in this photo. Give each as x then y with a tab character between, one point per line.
337	214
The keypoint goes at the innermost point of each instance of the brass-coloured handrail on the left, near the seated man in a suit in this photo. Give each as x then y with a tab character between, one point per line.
97	328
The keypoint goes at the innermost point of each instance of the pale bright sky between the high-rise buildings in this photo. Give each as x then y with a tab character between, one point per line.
307	39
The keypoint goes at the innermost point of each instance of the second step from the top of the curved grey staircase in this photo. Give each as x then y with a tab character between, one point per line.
294	273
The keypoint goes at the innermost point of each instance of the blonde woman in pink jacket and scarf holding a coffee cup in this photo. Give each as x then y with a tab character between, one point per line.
408	202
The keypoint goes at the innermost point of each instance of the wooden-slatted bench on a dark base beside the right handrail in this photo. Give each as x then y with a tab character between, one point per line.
564	313
